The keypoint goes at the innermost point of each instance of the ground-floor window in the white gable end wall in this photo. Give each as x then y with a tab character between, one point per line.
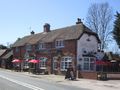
89	63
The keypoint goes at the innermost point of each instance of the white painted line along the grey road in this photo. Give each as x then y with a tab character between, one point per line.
22	83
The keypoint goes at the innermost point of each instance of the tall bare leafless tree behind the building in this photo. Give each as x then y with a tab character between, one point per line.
98	20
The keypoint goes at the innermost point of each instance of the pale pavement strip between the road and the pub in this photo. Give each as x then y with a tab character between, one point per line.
82	83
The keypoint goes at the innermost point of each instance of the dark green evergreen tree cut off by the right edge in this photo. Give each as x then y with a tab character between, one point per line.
116	30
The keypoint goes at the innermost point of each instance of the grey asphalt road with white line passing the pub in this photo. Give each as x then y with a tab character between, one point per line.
10	80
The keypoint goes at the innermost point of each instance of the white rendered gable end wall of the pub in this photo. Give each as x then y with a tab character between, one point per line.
84	45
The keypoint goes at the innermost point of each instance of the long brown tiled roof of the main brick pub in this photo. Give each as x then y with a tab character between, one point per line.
67	33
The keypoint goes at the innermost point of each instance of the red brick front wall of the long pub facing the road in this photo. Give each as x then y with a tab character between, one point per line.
68	50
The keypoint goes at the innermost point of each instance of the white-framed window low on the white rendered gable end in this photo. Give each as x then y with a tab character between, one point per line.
90	62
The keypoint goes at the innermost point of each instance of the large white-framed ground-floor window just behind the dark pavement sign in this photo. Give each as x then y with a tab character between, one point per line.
65	63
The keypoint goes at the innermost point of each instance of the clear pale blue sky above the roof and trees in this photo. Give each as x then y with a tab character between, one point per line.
19	17
